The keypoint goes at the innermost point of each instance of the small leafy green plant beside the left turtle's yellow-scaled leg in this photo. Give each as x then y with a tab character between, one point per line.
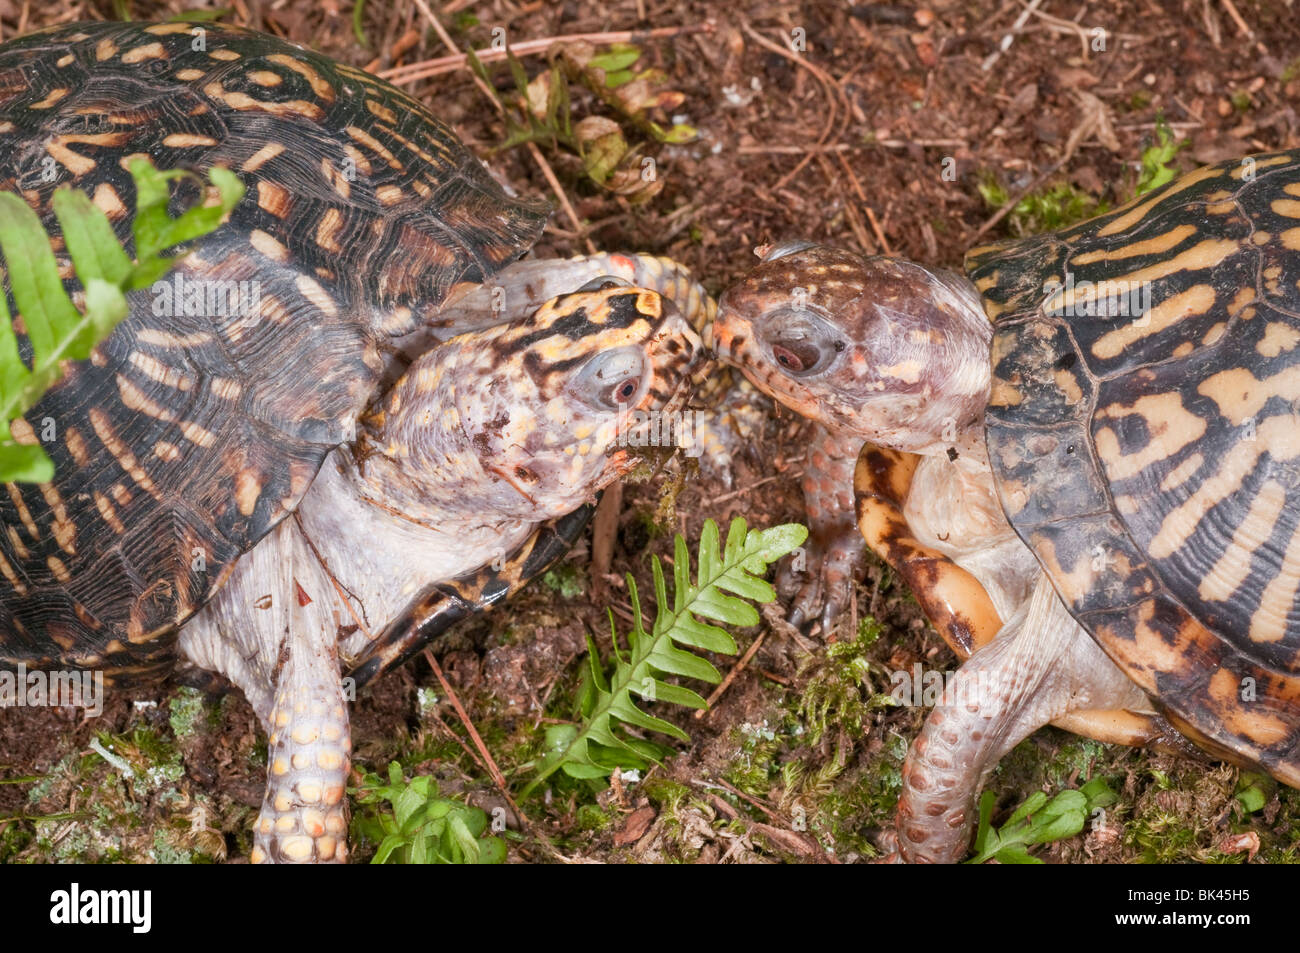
422	828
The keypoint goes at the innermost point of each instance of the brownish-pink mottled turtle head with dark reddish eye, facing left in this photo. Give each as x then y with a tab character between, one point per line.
874	349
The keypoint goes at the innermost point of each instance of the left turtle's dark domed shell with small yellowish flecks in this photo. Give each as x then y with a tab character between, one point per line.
202	421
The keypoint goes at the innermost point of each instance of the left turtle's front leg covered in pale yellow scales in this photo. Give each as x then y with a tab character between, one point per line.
304	816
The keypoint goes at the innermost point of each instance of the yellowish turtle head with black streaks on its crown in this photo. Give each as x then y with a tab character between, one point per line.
532	418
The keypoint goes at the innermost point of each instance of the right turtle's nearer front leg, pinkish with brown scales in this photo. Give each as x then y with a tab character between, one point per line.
1039	668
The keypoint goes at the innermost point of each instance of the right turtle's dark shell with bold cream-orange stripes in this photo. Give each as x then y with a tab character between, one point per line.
1145	432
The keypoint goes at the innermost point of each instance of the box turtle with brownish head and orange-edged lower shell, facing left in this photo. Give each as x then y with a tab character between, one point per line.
1097	434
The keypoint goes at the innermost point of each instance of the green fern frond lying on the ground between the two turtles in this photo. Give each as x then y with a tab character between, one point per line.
595	747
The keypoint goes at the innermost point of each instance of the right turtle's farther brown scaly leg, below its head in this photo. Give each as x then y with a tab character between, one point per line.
834	556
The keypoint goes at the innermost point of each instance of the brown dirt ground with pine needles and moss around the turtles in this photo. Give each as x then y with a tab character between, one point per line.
899	129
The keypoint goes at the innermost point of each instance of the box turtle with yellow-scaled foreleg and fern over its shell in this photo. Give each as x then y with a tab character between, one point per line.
393	428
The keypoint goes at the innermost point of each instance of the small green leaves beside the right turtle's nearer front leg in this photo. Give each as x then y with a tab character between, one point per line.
1038	821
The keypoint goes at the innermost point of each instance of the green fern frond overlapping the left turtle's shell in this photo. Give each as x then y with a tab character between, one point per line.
55	328
